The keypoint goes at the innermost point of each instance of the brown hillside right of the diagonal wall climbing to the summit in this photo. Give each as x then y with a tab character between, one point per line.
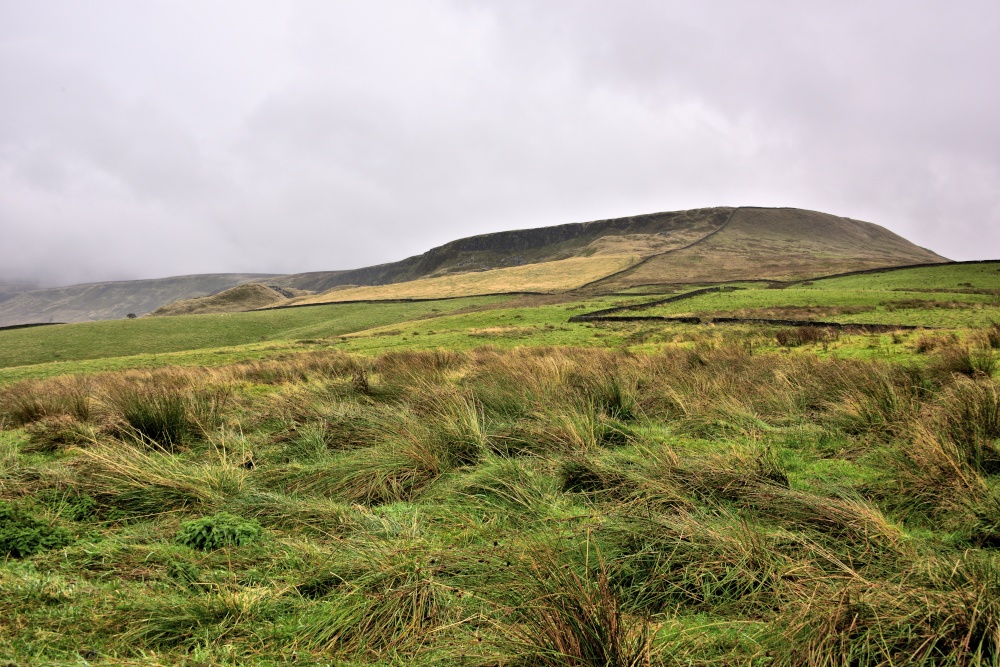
778	244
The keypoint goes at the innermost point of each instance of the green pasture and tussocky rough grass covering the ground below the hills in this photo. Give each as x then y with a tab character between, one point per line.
482	482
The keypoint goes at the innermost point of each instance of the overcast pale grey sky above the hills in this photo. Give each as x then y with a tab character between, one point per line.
157	138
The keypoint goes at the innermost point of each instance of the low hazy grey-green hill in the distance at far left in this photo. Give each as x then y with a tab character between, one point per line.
112	300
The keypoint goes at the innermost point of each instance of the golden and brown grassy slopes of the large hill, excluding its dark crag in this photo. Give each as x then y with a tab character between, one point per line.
749	243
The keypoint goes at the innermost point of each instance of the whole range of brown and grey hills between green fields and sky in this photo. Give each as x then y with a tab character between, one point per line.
700	245
